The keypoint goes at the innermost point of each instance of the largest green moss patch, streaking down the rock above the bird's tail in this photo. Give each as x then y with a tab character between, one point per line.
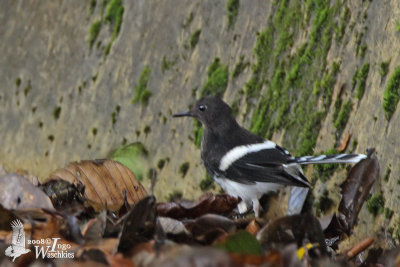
292	96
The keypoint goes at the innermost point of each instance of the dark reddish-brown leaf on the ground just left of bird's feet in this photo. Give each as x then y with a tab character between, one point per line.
208	203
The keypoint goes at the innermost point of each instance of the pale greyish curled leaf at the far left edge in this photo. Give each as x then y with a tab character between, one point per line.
16	192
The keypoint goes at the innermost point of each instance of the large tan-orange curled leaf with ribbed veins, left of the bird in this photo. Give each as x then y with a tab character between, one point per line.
105	182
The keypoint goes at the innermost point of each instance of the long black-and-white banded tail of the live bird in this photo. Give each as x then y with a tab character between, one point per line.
334	158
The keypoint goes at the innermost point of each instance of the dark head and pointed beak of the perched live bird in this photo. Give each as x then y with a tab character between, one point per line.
210	111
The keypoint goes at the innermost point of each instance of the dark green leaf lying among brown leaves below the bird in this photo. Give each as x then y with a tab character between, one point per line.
242	242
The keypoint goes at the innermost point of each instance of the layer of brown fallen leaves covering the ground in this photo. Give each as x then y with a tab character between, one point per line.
127	227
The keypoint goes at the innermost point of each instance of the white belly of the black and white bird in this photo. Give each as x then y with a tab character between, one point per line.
247	192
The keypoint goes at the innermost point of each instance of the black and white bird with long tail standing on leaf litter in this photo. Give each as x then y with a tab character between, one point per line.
244	164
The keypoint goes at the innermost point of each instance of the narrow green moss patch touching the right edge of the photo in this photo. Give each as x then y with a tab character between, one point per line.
391	95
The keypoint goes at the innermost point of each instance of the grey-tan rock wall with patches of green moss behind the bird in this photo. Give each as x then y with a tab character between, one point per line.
301	58
